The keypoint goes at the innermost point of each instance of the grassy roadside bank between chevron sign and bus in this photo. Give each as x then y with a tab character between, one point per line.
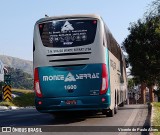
26	98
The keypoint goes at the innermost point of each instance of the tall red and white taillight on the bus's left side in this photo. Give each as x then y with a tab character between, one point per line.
36	83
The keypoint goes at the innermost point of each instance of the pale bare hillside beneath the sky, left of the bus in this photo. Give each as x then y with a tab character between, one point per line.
16	63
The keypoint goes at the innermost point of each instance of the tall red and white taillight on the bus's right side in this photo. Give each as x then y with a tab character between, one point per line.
104	86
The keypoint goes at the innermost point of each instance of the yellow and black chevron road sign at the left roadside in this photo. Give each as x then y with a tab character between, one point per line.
7	93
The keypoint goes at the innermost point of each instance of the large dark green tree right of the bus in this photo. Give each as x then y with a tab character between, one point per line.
143	48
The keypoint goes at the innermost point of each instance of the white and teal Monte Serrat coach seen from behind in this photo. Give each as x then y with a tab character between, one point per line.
78	66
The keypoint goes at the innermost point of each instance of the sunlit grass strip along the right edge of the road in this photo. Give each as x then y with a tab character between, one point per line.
156	118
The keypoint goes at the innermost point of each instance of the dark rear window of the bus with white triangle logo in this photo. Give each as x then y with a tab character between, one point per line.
68	33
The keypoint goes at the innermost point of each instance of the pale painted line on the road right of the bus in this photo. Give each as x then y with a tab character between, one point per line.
130	121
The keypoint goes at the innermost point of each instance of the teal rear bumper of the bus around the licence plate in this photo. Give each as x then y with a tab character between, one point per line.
50	105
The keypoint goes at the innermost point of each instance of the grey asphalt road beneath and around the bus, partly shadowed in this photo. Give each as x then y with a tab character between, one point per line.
129	115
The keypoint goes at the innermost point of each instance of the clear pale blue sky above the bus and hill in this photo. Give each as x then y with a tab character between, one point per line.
18	18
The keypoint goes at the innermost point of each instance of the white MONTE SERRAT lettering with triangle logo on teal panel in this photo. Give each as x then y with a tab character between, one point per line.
70	77
